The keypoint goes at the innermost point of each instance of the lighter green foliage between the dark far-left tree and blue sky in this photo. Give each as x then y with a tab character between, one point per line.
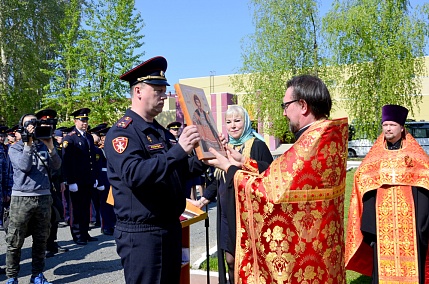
94	54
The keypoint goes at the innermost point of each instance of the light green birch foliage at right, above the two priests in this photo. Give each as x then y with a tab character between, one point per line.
367	51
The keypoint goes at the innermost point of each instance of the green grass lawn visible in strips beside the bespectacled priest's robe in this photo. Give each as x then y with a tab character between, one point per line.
352	277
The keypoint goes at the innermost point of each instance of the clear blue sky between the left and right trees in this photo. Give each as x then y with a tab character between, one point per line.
199	37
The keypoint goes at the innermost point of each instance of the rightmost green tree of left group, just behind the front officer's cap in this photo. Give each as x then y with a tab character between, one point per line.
110	44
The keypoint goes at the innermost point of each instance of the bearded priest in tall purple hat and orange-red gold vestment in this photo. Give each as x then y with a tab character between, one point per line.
388	225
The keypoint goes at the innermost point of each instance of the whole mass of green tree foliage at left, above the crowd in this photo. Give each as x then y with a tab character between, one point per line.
66	55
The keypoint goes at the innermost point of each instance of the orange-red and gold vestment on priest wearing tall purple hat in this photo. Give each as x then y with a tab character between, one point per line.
392	173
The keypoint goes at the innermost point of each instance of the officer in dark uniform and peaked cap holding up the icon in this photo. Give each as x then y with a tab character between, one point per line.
148	176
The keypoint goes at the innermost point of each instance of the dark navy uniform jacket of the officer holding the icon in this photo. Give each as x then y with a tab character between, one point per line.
147	173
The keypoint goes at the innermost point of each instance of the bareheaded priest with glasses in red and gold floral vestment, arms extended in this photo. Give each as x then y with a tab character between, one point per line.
290	217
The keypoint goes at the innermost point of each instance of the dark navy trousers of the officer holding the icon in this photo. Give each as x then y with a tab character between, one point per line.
151	257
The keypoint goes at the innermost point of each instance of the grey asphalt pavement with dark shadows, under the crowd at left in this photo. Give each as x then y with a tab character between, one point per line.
98	262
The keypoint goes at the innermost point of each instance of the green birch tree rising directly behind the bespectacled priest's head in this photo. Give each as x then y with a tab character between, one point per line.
285	43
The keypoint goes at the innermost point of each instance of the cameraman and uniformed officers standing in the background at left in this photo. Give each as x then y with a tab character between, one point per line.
51	177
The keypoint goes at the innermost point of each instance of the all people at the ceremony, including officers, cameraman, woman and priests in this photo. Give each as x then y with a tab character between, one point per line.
279	221
